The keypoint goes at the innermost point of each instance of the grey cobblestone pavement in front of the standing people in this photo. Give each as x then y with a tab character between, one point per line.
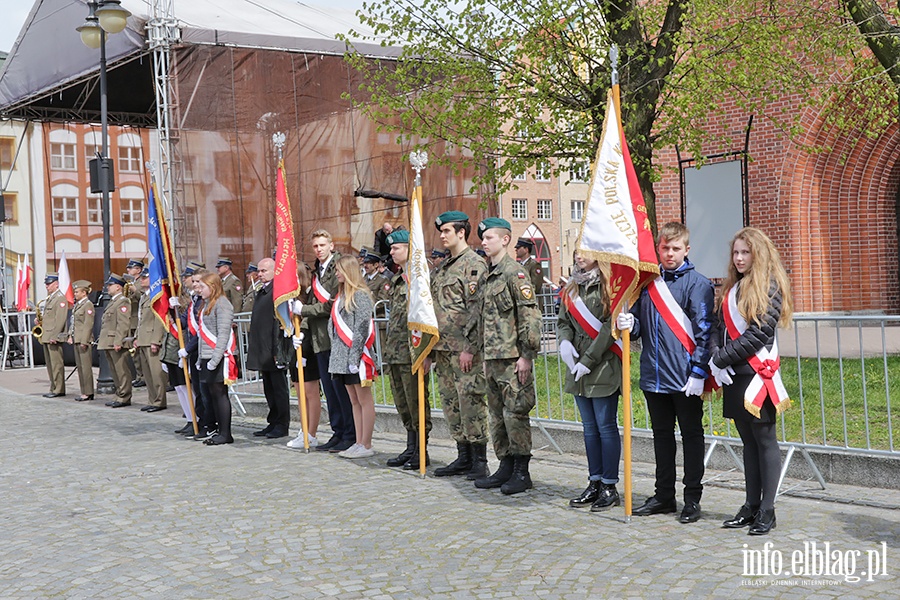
104	503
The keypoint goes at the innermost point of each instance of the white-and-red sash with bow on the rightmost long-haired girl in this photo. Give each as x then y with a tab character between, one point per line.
766	363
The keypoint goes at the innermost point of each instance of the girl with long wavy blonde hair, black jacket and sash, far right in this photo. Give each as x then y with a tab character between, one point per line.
756	301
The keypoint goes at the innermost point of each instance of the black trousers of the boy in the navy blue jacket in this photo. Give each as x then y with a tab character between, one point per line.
664	410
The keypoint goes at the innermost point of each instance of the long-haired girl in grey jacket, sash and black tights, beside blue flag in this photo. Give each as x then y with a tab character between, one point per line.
218	368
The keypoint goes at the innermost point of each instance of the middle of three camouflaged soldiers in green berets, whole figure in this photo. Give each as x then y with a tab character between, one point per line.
457	356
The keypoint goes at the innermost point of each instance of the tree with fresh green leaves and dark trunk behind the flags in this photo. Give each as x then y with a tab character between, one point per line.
513	82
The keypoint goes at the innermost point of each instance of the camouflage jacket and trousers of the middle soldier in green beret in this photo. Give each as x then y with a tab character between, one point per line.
454	288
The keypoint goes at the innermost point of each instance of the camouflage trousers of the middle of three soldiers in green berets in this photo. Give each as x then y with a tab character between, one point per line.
462	397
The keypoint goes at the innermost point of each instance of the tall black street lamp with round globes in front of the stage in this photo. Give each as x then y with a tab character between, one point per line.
106	16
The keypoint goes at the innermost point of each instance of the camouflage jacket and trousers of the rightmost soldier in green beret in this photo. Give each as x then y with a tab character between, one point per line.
511	328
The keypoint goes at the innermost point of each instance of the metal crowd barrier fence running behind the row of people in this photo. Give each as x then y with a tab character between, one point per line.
838	372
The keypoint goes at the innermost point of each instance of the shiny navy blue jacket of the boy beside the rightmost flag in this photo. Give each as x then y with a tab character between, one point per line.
665	364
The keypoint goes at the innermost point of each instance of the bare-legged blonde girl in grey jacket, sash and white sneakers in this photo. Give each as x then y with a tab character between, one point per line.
352	361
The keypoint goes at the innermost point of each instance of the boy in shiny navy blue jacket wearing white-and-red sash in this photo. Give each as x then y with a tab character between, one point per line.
673	317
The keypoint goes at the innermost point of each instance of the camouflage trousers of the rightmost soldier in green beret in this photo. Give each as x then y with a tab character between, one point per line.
509	403
